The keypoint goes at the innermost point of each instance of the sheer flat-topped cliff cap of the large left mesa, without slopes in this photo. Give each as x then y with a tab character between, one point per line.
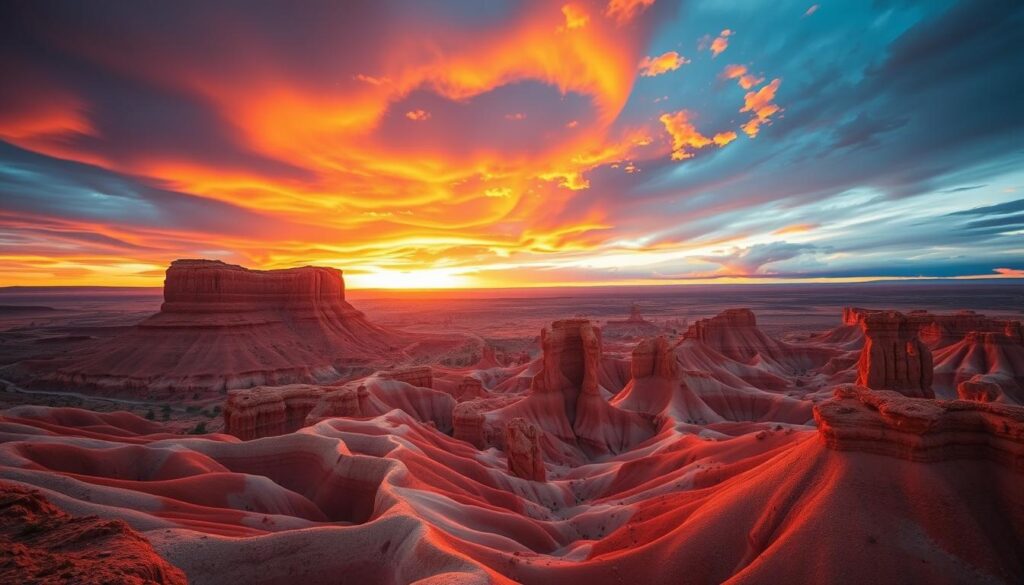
212	286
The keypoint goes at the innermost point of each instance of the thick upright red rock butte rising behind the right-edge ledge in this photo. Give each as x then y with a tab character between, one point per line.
893	357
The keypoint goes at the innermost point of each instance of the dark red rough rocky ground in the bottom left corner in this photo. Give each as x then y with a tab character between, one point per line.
40	544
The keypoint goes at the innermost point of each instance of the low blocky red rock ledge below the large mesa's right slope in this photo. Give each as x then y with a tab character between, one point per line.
270	411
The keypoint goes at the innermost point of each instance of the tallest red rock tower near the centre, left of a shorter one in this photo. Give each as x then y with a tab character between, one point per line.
572	362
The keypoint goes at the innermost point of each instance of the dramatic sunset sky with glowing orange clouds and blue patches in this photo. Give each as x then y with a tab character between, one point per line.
498	144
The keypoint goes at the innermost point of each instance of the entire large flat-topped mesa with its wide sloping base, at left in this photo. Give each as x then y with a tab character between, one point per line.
224	327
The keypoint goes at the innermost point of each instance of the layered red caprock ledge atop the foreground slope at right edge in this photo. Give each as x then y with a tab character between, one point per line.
918	430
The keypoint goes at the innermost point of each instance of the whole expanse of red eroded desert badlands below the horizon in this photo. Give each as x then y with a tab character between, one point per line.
260	429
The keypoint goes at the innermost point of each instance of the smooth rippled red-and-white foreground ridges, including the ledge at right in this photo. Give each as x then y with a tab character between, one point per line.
389	499
